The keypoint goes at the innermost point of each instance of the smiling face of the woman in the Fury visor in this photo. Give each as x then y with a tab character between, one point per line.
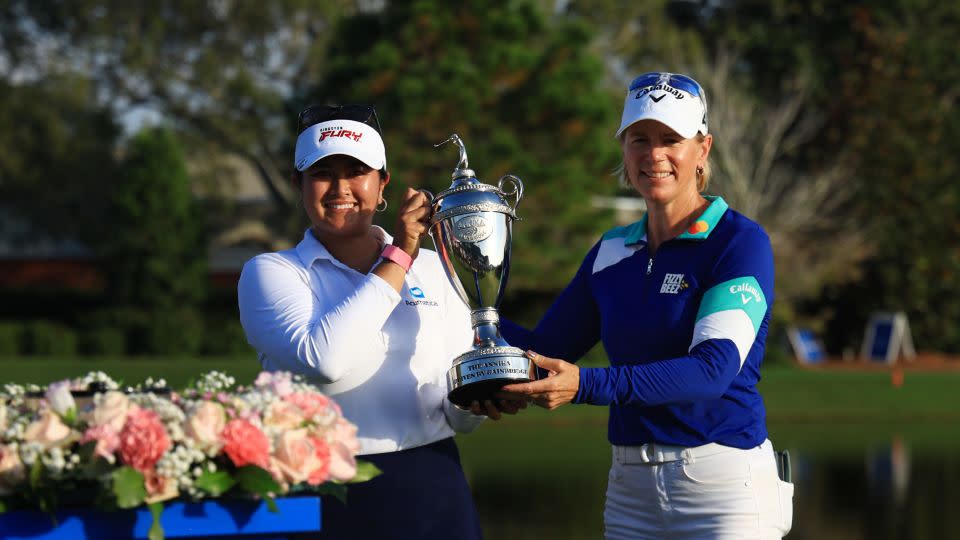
340	195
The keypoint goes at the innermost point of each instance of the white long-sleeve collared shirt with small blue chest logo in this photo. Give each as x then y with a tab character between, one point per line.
382	356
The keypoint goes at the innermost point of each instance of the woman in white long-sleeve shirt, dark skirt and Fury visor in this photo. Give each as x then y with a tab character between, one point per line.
372	319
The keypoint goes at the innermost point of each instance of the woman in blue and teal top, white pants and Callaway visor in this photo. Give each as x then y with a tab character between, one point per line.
681	301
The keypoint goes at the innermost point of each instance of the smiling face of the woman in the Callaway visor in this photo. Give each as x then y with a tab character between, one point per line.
660	164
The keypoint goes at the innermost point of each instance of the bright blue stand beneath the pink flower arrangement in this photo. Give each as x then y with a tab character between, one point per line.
231	519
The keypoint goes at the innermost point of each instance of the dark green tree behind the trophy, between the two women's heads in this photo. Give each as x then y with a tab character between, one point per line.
523	91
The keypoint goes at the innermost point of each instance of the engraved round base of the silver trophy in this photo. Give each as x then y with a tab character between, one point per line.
480	373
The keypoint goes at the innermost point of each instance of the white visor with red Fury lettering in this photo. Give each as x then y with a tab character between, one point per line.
344	137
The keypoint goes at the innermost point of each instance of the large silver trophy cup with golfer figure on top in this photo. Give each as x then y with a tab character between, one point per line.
471	228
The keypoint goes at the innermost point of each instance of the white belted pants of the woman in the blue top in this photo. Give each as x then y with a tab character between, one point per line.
709	491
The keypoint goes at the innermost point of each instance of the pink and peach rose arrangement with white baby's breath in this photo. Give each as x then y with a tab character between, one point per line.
84	440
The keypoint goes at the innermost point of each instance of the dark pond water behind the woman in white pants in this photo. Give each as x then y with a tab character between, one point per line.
547	479
